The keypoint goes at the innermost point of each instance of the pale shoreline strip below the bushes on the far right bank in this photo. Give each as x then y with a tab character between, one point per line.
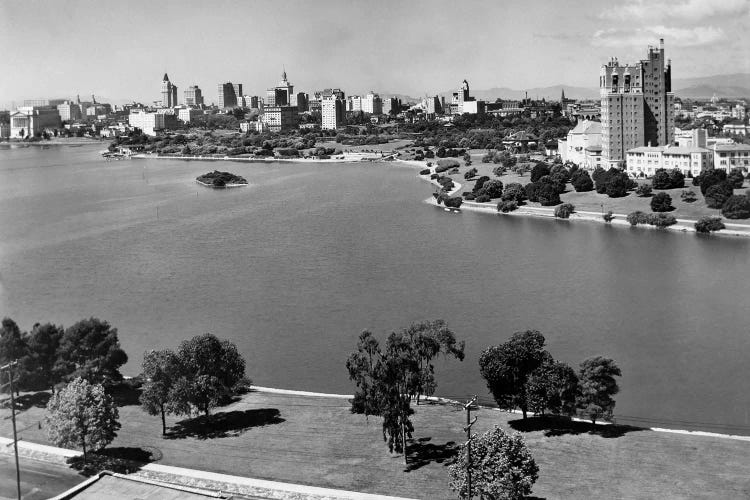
682	226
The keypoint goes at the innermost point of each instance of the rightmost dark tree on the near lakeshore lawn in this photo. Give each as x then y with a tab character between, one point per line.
596	386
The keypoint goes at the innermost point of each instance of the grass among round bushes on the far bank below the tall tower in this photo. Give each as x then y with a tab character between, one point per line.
592	201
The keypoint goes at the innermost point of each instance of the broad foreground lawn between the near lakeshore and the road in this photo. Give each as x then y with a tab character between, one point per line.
317	441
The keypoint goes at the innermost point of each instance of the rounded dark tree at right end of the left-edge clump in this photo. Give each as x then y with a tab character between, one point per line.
91	349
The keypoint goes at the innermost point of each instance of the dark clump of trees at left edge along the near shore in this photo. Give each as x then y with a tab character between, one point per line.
50	354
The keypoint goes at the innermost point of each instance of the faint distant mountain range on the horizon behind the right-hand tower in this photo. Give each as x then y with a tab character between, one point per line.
733	85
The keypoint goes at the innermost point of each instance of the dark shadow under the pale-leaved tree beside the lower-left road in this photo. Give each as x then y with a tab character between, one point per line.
122	459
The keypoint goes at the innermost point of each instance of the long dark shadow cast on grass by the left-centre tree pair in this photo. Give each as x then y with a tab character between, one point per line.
224	424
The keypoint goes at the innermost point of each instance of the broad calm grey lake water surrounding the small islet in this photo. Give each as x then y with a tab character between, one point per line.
294	266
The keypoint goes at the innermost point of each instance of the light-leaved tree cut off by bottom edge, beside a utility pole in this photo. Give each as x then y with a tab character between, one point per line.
501	467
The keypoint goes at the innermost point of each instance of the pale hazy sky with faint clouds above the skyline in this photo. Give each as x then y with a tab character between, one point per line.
121	49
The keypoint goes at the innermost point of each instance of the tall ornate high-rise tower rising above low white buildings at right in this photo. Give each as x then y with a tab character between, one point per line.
637	105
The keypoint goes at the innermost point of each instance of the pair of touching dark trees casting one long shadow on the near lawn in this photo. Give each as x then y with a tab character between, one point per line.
202	372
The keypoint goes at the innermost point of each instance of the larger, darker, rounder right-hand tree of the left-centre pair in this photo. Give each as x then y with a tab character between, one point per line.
212	367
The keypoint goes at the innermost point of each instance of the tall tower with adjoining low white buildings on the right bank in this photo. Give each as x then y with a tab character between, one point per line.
637	129
